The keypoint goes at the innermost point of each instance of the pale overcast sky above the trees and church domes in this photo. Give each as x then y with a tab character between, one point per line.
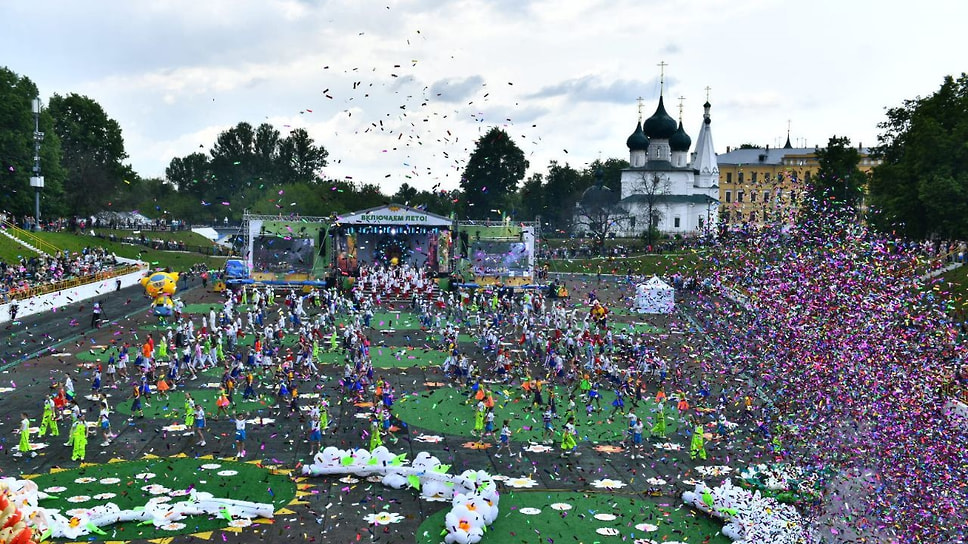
398	91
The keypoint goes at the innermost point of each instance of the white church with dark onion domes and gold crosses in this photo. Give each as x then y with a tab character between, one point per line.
682	189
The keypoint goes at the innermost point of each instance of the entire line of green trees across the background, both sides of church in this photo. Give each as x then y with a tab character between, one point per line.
919	190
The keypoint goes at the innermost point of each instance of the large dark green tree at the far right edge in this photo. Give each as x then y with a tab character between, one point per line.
921	184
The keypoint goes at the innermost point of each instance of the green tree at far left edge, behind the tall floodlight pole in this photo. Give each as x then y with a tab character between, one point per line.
17	150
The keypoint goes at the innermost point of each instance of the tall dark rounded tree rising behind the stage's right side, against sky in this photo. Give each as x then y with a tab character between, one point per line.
492	174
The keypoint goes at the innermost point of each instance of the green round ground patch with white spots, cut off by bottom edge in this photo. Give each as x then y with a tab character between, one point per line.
578	517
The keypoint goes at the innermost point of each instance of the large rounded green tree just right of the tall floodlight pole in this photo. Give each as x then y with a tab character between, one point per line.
92	152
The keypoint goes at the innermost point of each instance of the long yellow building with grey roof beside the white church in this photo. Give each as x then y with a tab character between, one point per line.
763	185
